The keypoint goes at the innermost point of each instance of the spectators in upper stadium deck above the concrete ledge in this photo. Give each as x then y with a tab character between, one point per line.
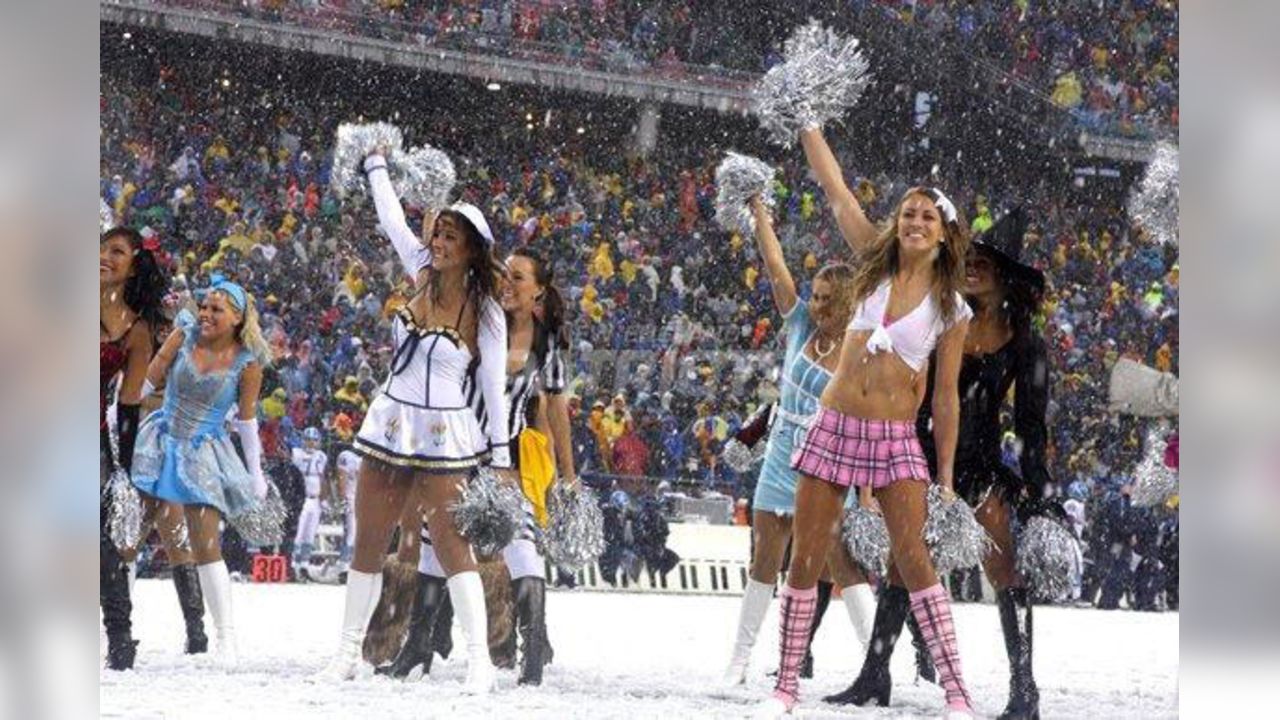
1113	66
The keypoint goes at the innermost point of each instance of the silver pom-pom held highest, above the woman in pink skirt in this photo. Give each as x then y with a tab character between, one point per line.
821	76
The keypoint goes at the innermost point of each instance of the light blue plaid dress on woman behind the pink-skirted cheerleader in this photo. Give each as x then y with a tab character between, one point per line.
803	382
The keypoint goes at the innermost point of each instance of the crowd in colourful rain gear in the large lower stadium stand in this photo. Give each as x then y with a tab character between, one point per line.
675	336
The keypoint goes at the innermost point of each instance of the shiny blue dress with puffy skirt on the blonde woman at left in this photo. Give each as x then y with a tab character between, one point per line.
184	452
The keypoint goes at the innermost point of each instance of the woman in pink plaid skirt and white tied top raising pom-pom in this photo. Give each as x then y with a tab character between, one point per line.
908	303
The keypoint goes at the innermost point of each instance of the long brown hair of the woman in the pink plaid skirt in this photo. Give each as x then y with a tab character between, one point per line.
883	259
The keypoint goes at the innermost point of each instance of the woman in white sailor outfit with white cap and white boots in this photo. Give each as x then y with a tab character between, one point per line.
420	434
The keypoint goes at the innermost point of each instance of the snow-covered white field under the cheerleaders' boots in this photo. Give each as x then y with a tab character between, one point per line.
627	657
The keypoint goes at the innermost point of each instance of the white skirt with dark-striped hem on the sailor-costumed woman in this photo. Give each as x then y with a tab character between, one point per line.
424	440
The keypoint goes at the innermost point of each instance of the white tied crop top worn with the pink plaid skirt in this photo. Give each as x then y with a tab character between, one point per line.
913	336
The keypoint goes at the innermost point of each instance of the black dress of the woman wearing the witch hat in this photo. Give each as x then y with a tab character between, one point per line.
985	382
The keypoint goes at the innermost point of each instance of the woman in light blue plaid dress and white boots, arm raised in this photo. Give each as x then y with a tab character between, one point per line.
813	334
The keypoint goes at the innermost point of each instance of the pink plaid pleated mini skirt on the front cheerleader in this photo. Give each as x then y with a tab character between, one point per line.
852	452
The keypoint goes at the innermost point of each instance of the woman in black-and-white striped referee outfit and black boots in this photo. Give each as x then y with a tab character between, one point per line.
538	340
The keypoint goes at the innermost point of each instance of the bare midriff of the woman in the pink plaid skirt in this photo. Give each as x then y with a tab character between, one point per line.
874	386
